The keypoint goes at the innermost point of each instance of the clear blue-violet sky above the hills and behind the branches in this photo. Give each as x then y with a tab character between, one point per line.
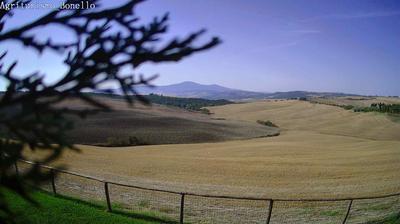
350	46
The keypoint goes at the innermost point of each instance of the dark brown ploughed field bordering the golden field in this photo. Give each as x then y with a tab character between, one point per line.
157	125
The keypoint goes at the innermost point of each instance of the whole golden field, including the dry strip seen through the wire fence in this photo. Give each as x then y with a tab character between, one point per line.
323	152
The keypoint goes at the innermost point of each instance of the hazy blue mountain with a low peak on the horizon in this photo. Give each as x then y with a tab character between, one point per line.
196	90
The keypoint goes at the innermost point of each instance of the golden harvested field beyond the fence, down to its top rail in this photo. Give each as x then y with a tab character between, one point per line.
323	151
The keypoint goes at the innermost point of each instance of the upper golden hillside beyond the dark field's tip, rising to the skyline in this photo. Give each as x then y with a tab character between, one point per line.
304	116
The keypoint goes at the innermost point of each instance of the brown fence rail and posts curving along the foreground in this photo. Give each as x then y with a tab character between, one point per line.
269	205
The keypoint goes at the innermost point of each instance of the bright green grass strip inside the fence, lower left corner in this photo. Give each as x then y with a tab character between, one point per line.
63	210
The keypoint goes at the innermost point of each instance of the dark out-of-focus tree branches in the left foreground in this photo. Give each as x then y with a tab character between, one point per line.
106	40
